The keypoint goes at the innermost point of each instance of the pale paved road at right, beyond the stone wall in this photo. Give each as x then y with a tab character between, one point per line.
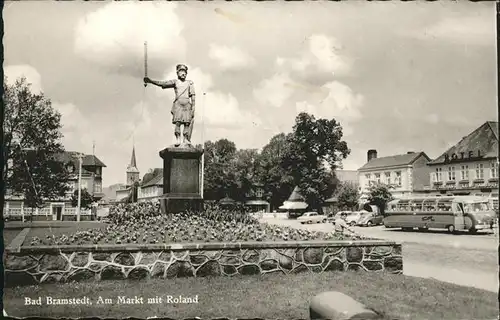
464	259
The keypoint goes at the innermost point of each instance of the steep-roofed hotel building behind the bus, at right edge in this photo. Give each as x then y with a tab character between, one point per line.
470	167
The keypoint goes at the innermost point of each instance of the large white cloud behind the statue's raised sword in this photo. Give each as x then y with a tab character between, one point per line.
113	36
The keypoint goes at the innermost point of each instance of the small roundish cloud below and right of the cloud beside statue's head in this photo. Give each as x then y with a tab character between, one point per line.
274	91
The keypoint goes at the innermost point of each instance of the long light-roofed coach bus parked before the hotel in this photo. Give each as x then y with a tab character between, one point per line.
453	213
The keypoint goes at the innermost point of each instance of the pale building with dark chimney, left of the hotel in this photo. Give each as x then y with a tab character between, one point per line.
405	173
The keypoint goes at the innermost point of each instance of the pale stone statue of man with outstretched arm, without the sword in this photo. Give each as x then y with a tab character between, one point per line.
184	104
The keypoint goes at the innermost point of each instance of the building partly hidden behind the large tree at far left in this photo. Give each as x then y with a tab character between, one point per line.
61	209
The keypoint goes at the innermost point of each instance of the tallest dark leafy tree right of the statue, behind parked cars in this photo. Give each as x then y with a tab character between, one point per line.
314	150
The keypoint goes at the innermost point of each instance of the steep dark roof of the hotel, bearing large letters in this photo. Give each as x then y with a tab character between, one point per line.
484	139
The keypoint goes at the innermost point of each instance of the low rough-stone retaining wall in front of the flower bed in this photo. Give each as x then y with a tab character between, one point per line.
43	264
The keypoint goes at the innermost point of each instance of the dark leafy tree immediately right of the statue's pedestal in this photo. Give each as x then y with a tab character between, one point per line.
219	173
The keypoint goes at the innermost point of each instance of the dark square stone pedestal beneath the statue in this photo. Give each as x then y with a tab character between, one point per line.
182	179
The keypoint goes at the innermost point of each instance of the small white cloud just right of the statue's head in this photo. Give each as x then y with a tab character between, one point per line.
230	58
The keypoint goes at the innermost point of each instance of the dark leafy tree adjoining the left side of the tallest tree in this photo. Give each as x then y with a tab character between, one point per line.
278	183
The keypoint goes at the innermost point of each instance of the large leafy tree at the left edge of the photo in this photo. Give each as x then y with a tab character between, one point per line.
31	145
